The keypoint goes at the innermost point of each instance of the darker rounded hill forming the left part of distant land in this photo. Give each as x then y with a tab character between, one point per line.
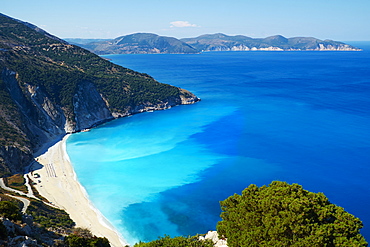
139	43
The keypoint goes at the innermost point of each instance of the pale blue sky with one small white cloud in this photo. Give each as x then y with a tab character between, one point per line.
342	20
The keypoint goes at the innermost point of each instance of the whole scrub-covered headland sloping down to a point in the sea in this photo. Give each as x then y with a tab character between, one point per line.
49	87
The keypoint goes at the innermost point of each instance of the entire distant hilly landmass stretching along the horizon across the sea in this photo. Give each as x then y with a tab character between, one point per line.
148	43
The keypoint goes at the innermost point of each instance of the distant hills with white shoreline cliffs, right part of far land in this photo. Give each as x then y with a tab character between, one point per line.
222	42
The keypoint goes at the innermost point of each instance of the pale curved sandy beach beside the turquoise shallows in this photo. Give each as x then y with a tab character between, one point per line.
58	184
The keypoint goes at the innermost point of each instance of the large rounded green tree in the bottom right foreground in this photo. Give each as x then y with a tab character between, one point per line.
286	215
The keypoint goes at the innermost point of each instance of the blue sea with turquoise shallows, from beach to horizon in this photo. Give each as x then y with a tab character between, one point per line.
300	117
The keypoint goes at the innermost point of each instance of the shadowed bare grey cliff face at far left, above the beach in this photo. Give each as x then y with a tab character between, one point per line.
37	119
